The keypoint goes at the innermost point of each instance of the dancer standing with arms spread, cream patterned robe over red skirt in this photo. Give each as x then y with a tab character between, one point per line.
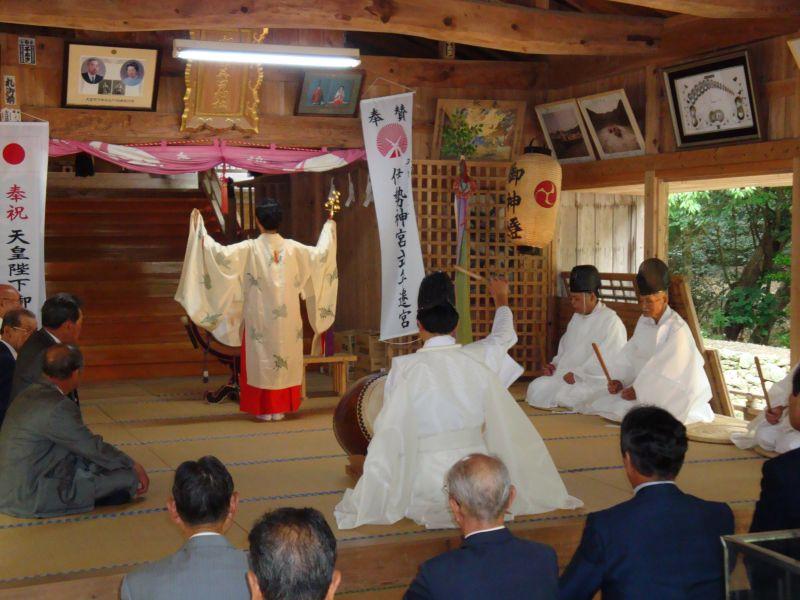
249	293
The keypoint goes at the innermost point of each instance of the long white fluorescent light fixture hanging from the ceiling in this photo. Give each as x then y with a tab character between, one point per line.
266	54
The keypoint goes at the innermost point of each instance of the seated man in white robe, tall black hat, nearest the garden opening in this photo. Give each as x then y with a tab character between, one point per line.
660	365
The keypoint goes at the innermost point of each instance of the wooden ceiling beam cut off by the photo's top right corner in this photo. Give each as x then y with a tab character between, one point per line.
724	9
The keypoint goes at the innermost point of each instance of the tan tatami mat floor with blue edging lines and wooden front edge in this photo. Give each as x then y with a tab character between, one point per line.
297	462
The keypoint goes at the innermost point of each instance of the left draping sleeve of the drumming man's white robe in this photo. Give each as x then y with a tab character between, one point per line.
384	490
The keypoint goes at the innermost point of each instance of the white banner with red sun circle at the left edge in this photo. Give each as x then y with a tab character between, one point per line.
23	184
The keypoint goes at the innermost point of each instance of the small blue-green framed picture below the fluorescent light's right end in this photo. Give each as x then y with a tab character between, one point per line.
330	93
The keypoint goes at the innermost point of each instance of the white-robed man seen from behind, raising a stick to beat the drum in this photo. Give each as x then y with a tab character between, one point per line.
442	403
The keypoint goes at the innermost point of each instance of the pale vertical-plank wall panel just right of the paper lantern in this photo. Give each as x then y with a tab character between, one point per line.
605	230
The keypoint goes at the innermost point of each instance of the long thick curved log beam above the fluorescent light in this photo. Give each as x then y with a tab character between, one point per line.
490	25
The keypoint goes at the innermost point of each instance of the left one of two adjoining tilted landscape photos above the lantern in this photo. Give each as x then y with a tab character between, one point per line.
564	131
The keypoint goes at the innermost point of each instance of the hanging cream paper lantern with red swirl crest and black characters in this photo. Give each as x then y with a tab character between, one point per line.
532	194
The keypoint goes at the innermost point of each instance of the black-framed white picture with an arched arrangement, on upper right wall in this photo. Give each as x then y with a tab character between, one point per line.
712	101
